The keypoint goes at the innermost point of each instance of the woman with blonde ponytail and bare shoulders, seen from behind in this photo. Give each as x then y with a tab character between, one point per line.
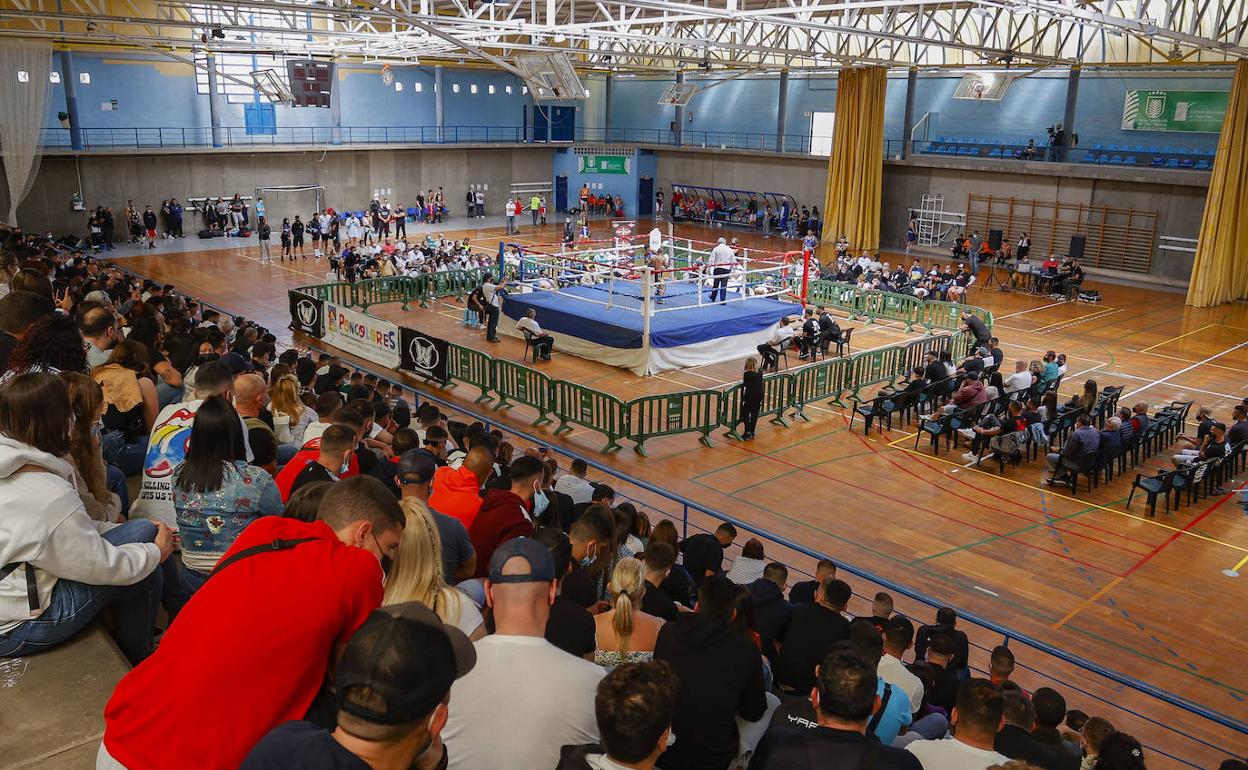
626	635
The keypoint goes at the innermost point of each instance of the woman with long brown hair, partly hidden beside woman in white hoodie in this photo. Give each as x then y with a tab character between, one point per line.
92	477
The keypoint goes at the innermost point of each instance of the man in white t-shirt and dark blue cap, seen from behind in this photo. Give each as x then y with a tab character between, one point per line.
526	698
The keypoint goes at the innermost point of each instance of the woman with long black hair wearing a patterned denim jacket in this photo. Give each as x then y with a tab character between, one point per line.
217	494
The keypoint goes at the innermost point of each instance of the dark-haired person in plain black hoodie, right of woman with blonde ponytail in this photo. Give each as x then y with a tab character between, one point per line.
721	676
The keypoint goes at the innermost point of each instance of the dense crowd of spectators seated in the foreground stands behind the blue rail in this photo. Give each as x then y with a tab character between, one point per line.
348	582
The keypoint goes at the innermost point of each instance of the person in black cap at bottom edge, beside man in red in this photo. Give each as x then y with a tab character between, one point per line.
392	685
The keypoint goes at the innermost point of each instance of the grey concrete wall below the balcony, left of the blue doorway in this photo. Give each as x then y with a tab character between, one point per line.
349	177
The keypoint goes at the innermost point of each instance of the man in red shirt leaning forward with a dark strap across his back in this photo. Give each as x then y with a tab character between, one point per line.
258	641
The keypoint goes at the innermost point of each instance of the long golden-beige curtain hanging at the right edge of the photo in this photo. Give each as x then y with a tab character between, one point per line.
1221	270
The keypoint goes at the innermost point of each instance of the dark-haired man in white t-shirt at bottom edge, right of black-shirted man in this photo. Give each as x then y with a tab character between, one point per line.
978	717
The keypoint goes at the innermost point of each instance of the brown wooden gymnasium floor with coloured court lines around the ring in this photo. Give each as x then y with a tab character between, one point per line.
1144	597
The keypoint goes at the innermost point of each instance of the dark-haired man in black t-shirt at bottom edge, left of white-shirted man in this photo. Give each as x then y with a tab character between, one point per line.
844	699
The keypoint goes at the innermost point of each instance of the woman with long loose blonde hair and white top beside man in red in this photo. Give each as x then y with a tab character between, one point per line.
416	575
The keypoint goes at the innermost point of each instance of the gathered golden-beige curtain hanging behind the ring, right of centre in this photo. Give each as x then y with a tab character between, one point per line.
856	169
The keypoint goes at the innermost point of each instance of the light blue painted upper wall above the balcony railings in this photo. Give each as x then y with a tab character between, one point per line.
155	93
